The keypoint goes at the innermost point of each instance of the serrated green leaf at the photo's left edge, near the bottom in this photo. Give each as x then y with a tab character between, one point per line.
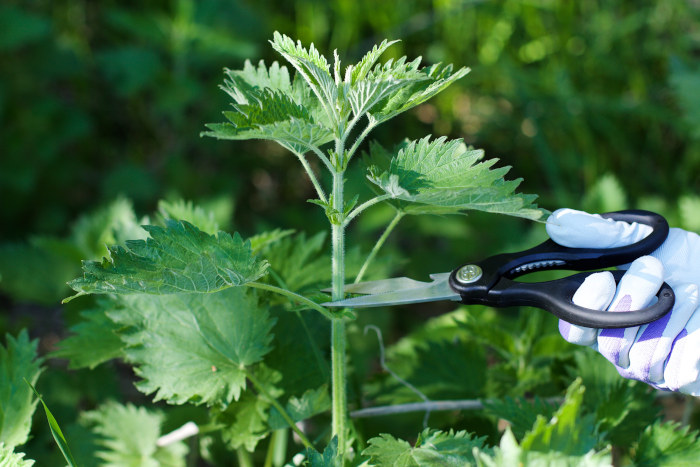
18	363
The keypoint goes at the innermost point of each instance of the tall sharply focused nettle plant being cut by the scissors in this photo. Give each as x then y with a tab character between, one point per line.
193	308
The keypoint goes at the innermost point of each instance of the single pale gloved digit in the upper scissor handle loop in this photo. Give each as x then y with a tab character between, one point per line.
578	229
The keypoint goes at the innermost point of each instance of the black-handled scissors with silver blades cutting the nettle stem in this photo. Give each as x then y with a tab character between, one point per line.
490	281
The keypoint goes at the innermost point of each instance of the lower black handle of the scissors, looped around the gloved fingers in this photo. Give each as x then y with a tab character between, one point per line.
556	297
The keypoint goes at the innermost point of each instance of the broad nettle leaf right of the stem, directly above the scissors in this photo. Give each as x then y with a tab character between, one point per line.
447	177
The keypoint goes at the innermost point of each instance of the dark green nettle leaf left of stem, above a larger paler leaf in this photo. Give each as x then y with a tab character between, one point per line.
177	258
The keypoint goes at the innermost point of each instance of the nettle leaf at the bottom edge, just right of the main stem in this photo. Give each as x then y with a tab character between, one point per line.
432	448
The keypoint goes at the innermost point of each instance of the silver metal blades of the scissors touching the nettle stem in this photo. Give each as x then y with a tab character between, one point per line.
413	292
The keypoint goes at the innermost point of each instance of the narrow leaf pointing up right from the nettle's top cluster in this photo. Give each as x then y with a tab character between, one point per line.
433	80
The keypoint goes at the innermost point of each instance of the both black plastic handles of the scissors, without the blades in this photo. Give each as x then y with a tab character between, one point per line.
494	287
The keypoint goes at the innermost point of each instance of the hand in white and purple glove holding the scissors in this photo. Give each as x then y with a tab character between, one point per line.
664	353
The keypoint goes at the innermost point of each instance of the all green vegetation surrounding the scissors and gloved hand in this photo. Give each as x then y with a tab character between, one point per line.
208	311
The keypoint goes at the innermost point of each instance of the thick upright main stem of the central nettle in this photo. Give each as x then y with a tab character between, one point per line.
338	344
